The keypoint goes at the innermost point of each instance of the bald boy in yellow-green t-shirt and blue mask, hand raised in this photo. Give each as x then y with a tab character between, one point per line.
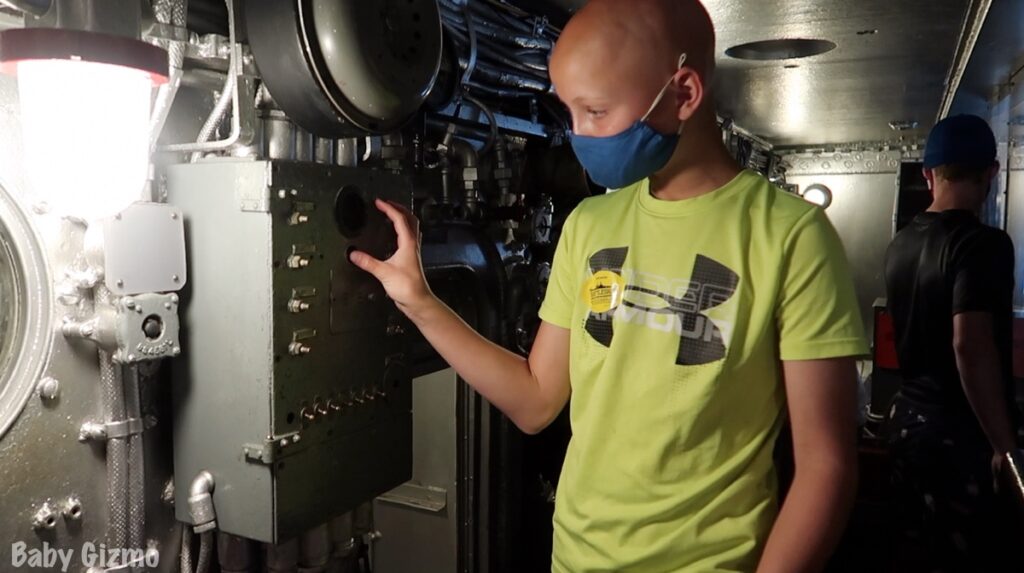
686	312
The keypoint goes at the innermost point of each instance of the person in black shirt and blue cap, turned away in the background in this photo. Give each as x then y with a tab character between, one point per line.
950	282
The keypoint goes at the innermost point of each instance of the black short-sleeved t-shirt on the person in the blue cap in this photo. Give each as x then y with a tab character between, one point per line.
941	266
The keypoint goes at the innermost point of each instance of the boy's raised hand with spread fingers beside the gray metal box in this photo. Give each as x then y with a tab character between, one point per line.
402	276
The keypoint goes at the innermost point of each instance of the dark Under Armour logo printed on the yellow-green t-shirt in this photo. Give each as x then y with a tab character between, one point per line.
701	341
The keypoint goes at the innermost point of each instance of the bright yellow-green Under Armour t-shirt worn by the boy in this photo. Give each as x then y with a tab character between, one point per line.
680	315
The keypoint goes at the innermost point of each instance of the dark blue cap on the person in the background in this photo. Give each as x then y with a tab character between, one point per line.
962	141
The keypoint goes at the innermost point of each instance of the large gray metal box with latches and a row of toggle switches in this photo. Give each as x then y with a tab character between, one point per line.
291	389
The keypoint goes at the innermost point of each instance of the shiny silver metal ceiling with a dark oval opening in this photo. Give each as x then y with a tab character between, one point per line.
848	96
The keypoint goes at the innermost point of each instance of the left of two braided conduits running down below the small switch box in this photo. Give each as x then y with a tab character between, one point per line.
117	454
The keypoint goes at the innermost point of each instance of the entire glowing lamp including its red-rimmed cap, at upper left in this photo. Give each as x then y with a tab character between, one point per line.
86	104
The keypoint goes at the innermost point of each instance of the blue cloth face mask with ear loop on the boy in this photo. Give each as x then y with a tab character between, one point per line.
620	160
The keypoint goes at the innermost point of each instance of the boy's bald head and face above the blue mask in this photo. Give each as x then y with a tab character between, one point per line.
618	54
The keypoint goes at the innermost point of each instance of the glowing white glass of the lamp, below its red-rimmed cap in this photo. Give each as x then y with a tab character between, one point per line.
86	130
